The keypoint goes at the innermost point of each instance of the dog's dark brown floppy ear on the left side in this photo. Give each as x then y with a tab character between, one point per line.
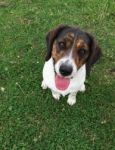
50	37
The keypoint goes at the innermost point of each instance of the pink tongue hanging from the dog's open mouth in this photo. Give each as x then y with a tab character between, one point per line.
61	82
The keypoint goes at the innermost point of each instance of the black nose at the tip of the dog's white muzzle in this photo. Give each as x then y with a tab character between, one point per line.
65	70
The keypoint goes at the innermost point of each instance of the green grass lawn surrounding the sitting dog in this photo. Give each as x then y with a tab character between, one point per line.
30	119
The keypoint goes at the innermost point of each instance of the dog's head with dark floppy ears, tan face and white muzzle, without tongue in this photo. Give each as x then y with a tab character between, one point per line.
70	49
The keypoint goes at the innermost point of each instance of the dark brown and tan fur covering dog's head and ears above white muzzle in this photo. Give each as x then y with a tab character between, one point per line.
74	39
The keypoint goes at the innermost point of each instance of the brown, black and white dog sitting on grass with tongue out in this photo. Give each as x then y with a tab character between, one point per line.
71	53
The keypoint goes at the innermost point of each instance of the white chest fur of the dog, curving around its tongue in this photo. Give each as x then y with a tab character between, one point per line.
76	83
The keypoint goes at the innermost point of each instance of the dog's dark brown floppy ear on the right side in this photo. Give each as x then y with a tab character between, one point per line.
95	53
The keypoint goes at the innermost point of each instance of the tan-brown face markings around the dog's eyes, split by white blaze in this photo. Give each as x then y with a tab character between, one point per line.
73	45
